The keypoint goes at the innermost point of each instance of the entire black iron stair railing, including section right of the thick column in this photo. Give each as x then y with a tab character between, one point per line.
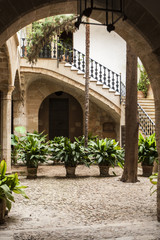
102	74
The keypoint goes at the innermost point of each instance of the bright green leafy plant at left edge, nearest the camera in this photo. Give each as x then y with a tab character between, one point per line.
8	185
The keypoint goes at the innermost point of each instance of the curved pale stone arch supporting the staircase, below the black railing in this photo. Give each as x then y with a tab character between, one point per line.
73	81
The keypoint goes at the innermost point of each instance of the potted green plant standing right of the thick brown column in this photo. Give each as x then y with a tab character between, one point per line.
147	153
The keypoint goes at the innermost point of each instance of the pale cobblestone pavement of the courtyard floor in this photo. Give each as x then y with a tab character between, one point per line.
87	207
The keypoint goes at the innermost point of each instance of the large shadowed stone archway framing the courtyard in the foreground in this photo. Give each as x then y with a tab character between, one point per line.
141	31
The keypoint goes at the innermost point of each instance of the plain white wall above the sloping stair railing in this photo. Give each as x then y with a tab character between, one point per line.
109	49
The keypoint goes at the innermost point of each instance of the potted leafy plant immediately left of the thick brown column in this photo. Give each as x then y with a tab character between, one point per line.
106	153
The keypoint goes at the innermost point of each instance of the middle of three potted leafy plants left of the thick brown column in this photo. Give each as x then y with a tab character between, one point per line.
71	154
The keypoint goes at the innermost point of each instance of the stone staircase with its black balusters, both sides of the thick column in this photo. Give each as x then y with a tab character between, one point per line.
103	80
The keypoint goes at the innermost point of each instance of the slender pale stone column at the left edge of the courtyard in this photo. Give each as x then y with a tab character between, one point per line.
6	126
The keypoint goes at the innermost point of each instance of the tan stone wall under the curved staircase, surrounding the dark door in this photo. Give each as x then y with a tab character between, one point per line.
100	123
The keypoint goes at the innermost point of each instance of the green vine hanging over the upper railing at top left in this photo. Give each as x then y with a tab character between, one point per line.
43	32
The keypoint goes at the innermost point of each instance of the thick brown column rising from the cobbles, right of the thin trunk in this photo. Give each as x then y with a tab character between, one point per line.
131	119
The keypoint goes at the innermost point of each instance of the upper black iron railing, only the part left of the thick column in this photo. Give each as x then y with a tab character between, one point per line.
59	51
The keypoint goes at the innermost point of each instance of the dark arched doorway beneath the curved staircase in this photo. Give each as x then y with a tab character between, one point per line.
60	114
